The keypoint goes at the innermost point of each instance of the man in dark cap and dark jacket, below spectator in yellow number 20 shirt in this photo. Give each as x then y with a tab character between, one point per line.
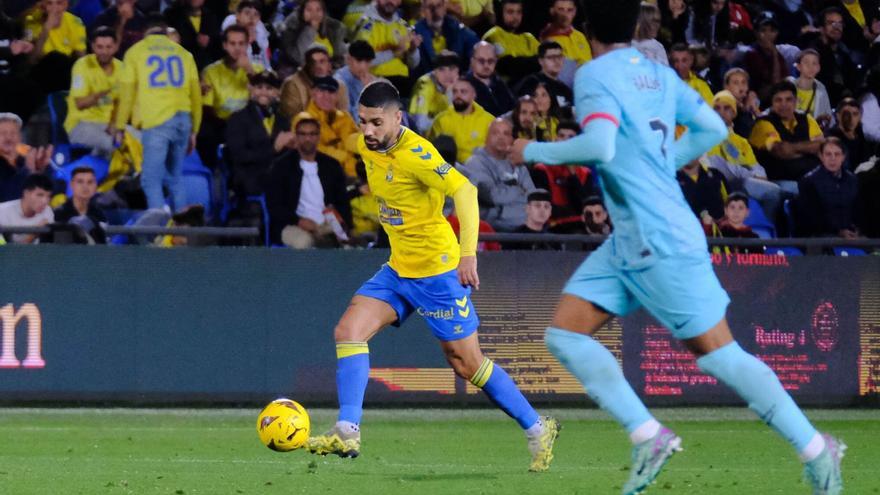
255	135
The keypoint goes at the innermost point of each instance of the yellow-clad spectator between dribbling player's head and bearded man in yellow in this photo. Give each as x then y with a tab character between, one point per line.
429	96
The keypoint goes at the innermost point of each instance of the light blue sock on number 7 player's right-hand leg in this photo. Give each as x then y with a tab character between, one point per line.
755	382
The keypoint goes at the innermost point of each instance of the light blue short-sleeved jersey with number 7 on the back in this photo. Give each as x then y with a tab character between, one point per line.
645	99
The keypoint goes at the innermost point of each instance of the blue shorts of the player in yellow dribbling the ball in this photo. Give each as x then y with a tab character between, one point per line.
441	300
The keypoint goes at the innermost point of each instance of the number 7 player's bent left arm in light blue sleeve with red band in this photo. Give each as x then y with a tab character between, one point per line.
599	115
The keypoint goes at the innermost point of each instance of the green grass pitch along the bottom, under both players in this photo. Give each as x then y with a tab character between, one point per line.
423	451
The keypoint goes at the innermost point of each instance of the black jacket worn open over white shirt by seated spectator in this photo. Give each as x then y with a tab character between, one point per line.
283	188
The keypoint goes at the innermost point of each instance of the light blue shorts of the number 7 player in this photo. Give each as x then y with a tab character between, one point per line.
681	291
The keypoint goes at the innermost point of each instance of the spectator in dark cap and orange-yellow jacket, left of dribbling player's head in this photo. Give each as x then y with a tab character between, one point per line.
338	130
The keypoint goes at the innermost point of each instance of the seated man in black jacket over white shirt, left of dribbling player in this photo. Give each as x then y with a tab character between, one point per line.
306	197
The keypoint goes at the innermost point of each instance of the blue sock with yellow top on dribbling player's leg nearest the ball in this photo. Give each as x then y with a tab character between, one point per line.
352	374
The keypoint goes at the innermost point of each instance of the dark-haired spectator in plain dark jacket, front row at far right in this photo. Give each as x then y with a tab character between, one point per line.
827	205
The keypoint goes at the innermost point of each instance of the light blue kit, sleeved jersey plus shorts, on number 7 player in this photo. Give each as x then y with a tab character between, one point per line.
657	256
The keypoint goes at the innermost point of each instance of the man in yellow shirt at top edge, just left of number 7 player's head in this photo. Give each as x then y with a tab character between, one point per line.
575	46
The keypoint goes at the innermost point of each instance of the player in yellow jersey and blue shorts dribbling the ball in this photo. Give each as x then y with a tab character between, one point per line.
429	273
